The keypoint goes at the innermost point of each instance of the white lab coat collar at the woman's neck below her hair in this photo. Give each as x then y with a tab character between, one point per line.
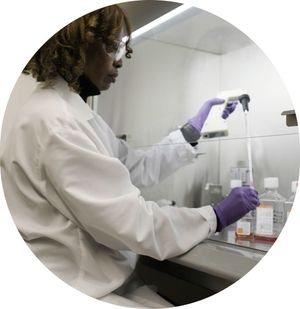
75	102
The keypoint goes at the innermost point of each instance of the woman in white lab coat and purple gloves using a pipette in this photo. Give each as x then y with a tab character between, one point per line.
72	186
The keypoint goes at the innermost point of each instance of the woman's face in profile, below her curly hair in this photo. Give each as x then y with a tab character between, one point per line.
101	67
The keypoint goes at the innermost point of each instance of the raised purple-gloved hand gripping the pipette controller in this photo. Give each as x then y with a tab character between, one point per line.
200	118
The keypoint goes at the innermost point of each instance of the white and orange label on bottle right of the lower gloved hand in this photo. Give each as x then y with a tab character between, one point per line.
264	220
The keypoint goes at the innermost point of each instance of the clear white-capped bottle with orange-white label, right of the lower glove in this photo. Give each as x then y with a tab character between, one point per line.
270	213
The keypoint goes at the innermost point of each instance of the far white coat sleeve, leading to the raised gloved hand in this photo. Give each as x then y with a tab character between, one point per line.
153	164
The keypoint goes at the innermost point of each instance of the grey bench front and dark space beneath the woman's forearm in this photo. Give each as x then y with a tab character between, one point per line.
205	270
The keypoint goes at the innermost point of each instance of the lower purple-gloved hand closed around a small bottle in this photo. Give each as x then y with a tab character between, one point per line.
239	202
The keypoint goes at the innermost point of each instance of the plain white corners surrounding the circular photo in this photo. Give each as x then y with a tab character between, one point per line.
25	25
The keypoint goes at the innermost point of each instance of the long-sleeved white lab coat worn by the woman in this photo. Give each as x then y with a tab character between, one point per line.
72	189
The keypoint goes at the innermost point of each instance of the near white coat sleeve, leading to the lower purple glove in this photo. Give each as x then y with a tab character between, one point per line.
97	193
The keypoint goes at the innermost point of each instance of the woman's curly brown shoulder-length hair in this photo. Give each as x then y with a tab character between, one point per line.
64	54
